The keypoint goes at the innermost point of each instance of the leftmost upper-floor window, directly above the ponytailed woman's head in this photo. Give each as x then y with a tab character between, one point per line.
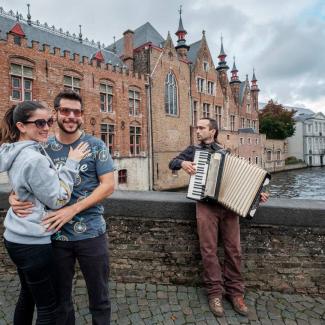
21	82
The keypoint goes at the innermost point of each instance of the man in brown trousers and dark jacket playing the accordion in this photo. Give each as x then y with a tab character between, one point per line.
212	219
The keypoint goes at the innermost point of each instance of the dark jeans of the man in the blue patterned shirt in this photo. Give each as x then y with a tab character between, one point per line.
92	255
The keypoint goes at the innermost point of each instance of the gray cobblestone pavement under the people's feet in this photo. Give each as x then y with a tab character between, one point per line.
167	305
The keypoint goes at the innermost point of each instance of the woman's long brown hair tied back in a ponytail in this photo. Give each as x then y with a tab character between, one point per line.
17	113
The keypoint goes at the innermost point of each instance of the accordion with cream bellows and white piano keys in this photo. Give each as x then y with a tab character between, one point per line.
233	182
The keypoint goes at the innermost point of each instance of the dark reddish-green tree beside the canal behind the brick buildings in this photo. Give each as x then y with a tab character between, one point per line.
276	122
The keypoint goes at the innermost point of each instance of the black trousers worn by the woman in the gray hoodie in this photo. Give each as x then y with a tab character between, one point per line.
35	269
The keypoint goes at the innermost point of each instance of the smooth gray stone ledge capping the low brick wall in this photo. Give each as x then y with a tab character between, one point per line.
170	205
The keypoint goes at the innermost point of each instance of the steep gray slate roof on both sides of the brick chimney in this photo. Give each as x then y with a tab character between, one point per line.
144	34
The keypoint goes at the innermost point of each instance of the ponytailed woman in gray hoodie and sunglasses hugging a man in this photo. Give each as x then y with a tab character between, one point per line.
34	177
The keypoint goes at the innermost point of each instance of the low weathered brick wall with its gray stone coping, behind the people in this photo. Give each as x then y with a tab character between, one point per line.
153	239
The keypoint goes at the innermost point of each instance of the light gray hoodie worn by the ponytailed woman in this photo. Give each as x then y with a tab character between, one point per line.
34	177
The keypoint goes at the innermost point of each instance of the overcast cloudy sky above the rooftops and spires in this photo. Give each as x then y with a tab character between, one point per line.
283	39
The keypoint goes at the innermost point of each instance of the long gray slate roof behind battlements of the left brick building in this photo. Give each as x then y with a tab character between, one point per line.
55	38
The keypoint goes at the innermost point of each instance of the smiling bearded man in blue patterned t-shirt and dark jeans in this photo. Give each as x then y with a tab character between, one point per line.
80	226
